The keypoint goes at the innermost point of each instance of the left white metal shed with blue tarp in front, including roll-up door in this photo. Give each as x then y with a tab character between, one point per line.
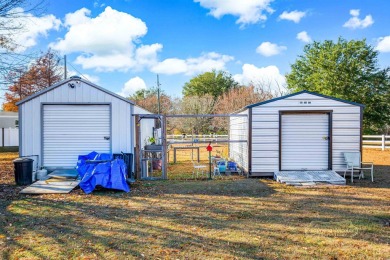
74	117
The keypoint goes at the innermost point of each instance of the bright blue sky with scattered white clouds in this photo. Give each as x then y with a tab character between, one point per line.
123	44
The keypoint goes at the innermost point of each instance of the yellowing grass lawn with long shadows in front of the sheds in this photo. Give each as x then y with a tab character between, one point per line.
229	218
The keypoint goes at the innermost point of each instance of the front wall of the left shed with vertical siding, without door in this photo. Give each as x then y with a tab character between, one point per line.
30	116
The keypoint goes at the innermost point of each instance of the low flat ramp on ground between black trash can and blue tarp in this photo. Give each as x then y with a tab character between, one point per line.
50	187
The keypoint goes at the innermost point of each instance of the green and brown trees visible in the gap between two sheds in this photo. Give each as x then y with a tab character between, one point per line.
214	92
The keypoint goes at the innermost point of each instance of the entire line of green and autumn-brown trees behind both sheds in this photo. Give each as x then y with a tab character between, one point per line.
344	69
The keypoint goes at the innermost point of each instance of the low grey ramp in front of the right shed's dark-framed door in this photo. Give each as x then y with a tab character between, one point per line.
309	178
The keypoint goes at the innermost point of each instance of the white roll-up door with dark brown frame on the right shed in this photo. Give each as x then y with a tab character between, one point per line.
305	142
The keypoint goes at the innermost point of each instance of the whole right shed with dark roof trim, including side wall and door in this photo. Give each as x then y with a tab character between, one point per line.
301	131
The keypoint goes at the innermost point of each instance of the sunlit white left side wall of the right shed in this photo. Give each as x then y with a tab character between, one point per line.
238	130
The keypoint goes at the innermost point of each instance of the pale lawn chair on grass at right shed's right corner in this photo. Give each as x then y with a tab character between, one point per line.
354	162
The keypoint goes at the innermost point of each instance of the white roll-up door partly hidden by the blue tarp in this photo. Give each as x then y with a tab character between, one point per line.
72	130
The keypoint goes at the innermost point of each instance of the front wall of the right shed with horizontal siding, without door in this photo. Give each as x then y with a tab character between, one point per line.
265	129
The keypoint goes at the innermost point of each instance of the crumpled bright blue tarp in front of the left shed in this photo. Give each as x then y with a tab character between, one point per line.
100	169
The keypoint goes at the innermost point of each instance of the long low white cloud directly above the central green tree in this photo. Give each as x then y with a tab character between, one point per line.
191	66
